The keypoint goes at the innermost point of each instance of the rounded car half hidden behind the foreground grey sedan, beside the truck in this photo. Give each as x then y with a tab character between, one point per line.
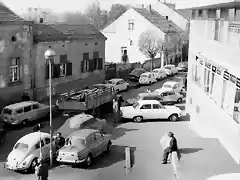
81	121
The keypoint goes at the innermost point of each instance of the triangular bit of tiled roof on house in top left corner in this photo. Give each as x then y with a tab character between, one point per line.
7	15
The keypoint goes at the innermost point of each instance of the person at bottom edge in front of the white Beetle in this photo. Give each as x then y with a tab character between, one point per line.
41	170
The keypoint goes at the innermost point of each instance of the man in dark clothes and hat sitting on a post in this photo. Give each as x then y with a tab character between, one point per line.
171	148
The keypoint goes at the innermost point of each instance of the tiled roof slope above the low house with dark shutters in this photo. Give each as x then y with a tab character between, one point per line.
77	30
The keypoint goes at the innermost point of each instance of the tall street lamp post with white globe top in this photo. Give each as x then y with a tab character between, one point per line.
49	56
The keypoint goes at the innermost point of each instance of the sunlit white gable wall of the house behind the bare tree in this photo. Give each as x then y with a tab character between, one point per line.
119	36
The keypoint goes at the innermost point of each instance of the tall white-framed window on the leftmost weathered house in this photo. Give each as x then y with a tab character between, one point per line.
15	70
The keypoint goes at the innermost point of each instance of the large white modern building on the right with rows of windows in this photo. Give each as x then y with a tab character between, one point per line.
213	94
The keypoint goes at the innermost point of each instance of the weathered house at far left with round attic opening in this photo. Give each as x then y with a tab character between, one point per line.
15	56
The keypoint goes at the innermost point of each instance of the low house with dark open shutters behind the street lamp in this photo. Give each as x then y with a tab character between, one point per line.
79	61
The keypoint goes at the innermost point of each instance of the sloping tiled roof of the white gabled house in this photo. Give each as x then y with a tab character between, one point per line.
159	21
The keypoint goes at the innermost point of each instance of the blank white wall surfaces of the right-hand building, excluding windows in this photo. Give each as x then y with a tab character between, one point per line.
211	115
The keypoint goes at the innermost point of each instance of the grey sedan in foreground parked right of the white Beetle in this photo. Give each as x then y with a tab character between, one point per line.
83	146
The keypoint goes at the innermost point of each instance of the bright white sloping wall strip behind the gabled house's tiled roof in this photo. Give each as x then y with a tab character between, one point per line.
164	10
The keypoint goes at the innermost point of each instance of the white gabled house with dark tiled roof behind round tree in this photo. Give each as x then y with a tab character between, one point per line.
123	34
